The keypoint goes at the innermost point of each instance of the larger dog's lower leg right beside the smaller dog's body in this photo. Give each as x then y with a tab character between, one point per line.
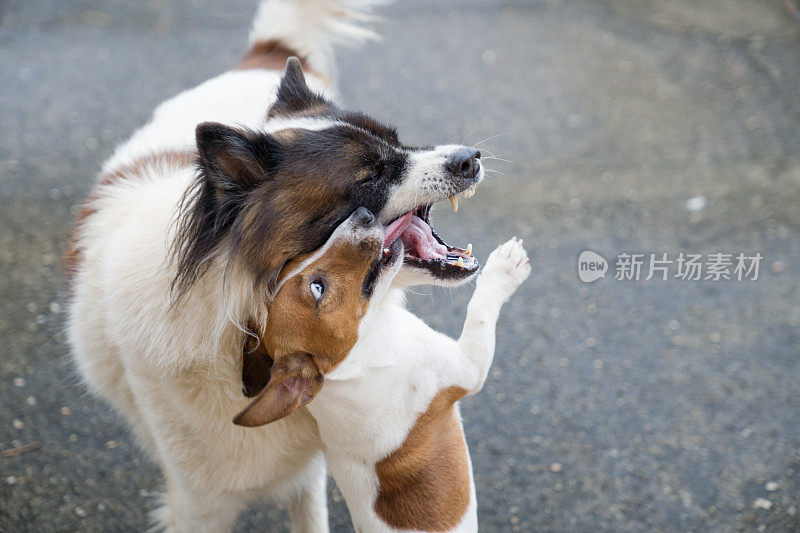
308	507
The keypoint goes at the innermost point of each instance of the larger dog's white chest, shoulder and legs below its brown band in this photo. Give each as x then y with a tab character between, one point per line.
175	374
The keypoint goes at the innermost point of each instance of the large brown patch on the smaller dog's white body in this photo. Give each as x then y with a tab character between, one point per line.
424	484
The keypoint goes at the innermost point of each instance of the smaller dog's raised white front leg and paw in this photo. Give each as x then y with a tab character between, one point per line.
507	267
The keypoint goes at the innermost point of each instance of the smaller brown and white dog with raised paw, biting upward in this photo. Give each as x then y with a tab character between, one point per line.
387	411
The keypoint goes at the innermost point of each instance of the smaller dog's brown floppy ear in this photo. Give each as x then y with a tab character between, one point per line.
294	382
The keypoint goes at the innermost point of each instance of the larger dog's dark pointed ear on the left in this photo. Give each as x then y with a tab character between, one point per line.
233	160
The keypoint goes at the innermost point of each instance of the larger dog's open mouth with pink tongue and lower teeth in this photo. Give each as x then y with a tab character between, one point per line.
425	249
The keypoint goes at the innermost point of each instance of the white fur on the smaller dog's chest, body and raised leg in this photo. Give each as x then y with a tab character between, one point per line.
370	402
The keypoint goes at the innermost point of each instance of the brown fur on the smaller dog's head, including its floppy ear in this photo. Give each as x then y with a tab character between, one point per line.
308	337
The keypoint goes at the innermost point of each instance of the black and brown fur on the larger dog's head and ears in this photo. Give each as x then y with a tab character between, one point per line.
263	199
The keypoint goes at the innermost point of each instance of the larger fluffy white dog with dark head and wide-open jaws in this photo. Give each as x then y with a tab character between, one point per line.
181	242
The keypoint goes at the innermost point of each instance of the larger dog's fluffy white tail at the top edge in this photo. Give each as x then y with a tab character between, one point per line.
313	27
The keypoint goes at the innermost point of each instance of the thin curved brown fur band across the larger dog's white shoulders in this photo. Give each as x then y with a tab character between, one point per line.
73	253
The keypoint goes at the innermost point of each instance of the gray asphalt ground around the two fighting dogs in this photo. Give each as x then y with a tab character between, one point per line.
612	406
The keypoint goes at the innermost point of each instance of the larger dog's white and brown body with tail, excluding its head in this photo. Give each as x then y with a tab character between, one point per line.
173	368
